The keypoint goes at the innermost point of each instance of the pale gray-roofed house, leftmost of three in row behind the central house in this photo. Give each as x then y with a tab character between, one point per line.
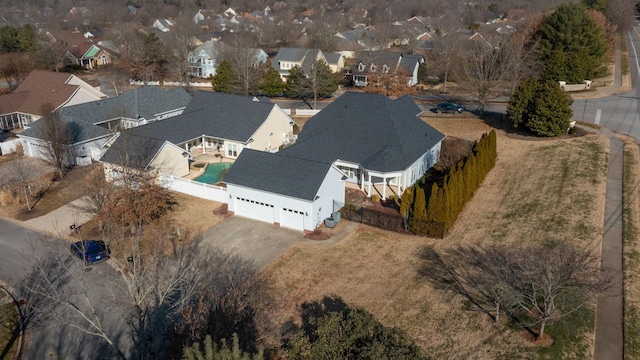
205	59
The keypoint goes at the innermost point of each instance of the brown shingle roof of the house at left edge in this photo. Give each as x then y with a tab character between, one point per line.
38	89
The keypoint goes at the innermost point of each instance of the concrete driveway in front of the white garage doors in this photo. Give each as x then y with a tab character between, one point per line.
255	241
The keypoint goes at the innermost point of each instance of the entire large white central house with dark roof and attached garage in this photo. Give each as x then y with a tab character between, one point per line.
361	140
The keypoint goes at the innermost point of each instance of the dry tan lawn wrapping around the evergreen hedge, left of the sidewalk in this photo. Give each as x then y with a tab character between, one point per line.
539	191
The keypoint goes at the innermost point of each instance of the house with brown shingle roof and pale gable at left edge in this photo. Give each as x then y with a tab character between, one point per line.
25	104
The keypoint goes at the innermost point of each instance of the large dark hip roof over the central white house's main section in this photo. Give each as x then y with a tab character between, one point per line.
367	129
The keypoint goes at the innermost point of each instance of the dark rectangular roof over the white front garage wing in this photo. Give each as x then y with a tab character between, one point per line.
278	174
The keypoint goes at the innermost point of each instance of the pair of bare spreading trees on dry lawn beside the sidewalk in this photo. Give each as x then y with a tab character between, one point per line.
534	284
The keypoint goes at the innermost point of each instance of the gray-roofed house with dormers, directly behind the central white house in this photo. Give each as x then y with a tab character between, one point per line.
383	63
